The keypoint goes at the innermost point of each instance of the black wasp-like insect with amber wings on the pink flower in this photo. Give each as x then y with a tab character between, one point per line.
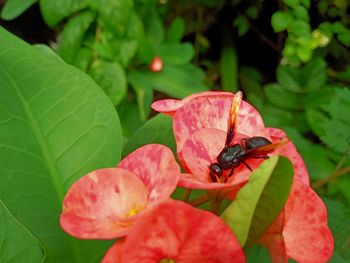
234	155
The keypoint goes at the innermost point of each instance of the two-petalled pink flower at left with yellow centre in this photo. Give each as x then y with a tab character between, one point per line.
105	203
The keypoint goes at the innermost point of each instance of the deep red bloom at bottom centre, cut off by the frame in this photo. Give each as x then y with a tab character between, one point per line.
174	231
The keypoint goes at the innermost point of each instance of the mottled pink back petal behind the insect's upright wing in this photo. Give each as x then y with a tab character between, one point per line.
213	112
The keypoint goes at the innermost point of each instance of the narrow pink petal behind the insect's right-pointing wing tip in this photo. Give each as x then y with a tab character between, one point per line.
300	171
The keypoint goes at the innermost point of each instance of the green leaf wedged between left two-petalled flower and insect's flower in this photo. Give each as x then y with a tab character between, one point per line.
156	130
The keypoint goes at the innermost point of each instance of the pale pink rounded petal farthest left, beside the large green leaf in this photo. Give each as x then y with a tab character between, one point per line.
97	206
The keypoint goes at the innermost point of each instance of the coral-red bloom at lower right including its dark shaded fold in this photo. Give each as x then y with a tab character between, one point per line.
301	231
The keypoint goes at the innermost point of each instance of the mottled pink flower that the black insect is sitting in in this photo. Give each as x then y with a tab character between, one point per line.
200	127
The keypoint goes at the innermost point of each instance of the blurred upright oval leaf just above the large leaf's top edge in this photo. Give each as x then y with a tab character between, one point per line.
72	35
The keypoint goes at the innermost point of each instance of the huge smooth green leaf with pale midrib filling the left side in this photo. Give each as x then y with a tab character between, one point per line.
56	125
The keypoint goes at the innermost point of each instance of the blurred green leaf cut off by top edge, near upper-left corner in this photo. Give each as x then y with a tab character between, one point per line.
54	11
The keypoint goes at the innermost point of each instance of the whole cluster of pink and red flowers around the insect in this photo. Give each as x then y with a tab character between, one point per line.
132	202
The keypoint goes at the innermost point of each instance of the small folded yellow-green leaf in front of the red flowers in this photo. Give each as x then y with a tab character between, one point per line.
259	202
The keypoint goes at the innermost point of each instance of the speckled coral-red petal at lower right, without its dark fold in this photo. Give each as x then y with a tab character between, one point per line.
306	233
